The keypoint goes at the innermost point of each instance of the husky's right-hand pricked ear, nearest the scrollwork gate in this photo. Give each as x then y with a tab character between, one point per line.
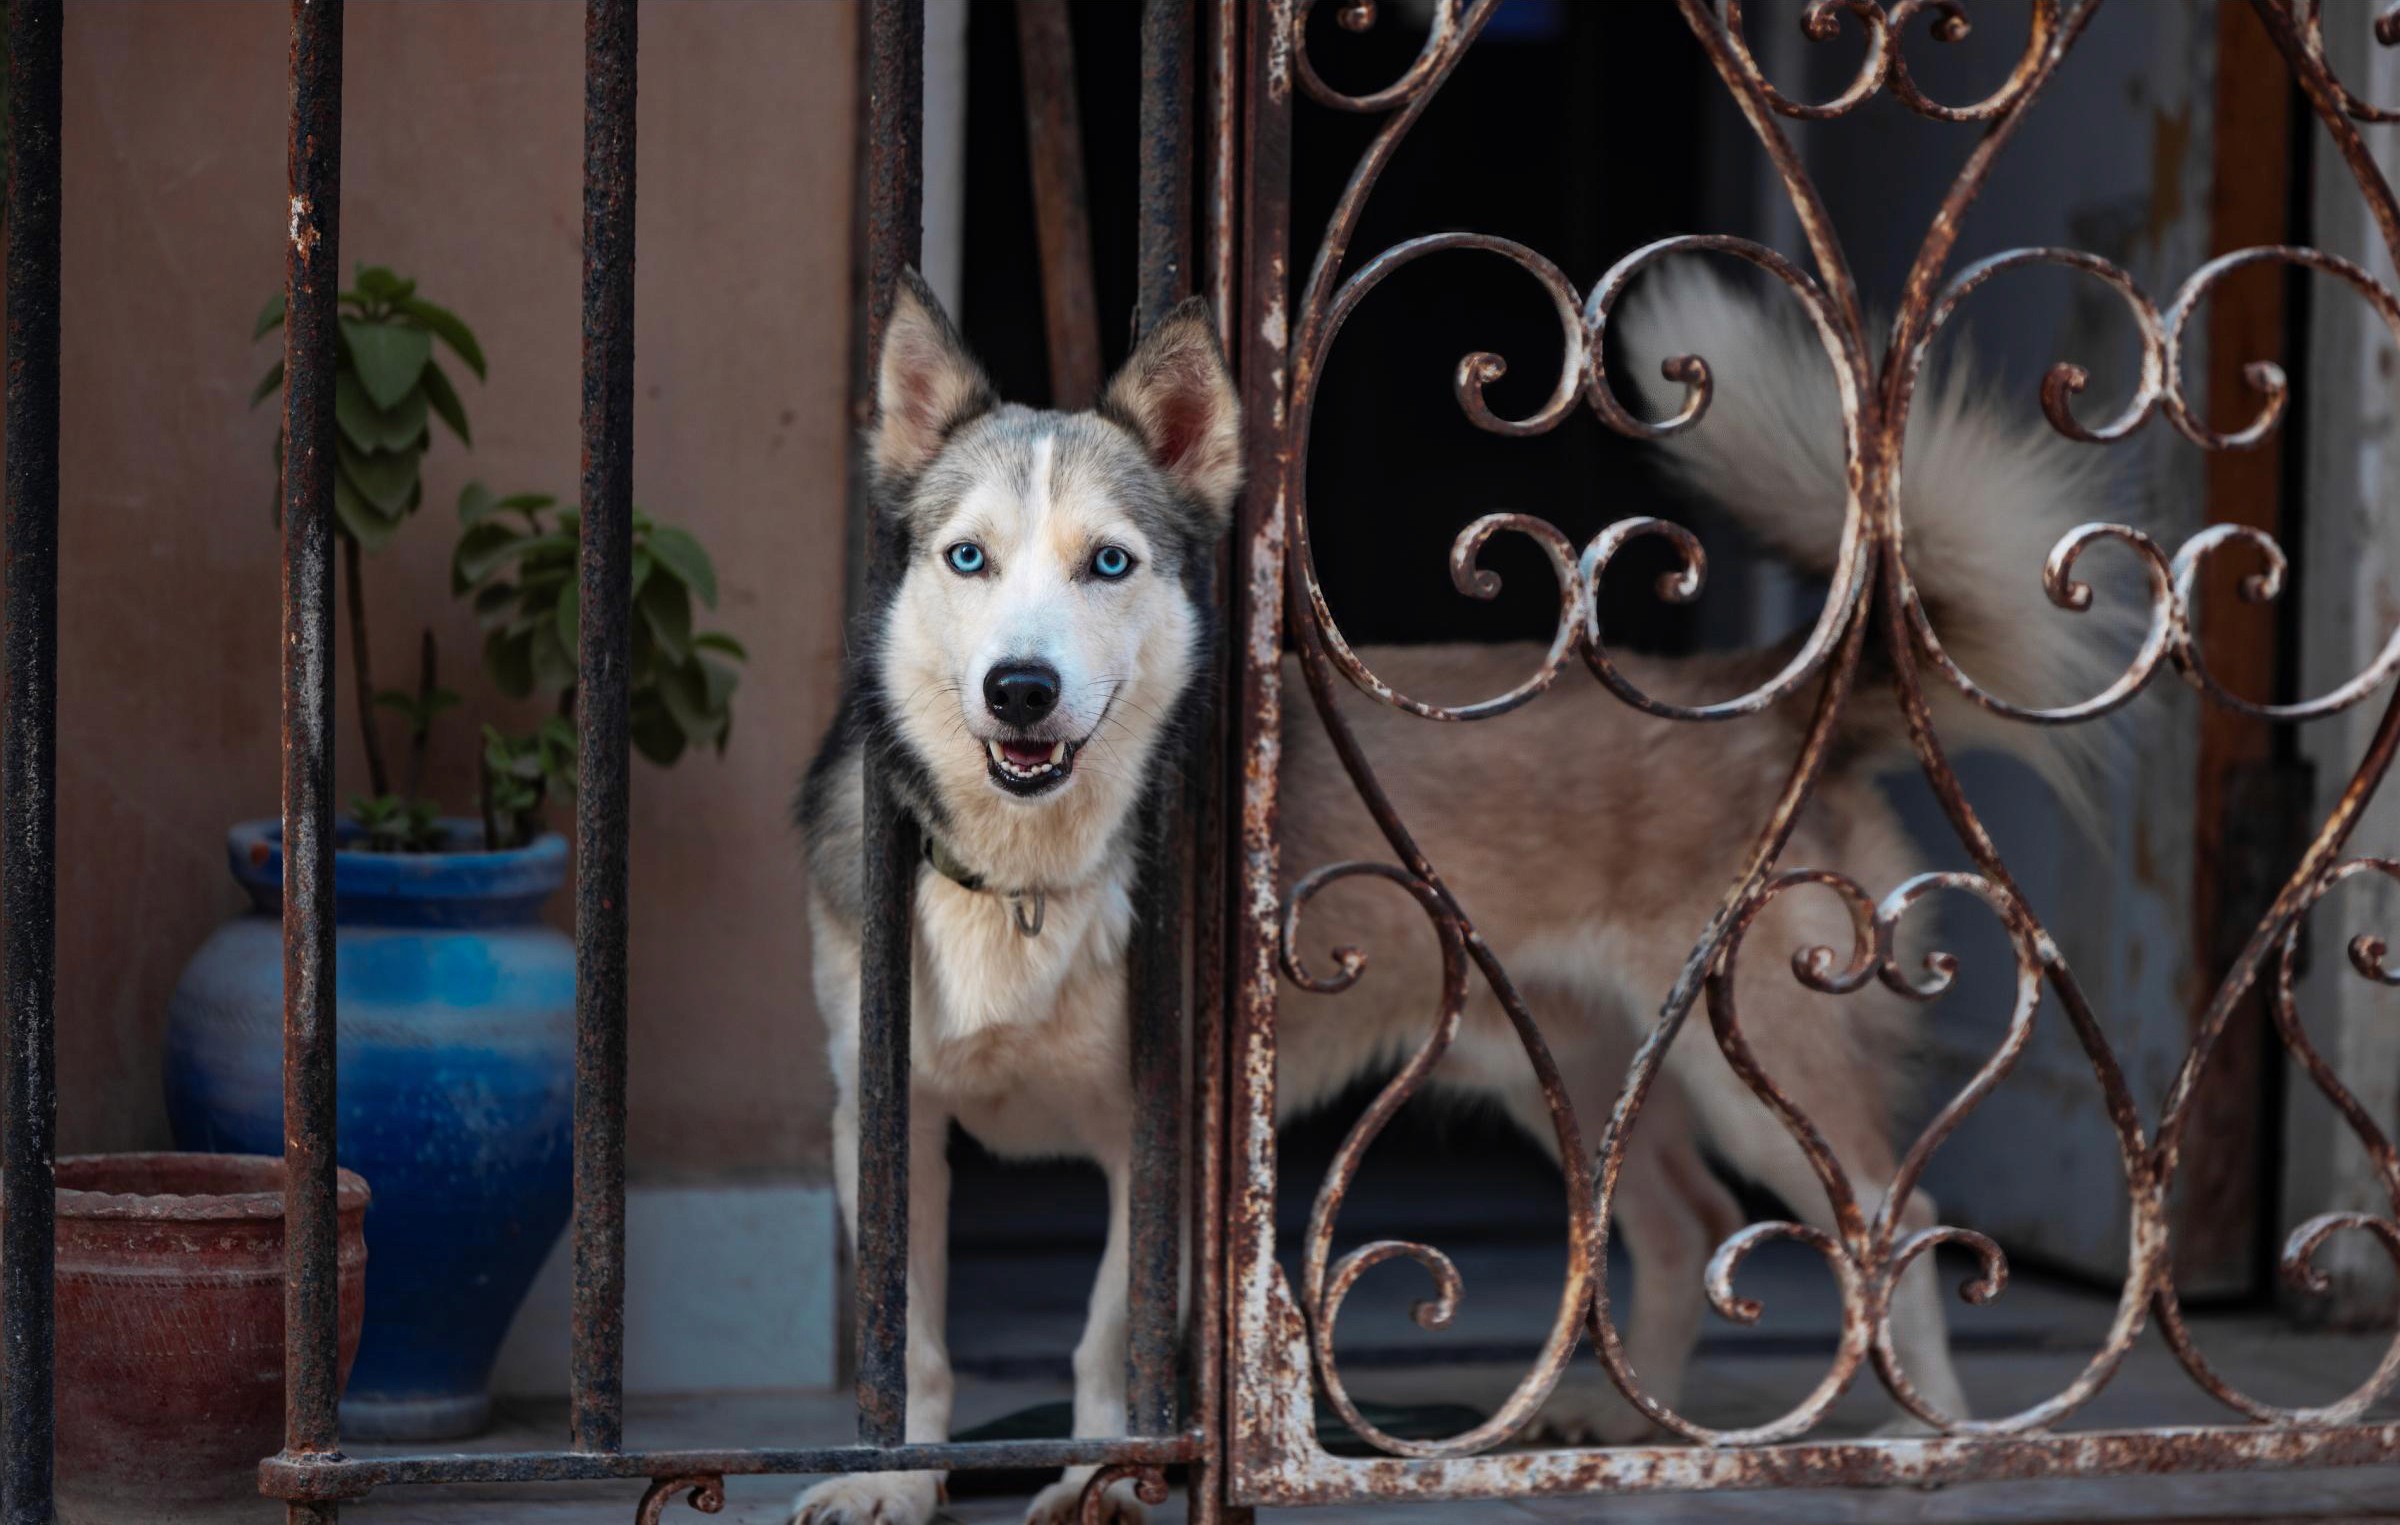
1180	402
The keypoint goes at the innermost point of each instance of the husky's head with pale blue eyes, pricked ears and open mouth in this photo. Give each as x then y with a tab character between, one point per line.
1045	621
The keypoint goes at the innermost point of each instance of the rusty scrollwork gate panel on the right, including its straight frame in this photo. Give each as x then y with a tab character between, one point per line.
1278	1336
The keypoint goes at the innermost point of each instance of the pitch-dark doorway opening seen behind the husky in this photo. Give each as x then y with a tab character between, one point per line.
1544	136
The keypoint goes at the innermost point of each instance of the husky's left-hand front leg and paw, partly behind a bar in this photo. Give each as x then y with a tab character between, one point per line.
901	1497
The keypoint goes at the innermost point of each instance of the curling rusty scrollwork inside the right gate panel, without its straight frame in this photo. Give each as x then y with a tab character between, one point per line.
1876	378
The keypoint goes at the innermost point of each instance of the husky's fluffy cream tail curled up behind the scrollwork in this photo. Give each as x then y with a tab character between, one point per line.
1988	489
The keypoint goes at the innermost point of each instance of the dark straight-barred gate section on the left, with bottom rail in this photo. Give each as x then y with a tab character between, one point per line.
311	1473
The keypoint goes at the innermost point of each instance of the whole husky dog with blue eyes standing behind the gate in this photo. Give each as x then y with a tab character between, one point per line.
1045	628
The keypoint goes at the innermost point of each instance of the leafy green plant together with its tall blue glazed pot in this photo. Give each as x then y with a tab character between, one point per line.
455	998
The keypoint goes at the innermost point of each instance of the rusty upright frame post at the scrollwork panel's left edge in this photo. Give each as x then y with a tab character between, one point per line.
1256	722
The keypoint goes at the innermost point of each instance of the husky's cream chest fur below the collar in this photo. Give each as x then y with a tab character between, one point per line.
1021	1034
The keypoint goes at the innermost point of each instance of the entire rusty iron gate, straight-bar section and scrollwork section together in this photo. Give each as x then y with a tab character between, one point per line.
1256	1351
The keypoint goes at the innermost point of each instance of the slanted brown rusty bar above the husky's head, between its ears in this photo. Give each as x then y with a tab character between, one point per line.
1062	217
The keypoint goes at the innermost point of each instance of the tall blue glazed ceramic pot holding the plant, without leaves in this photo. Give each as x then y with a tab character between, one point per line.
455	1015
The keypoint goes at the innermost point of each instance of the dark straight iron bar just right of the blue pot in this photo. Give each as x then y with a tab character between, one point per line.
604	770
